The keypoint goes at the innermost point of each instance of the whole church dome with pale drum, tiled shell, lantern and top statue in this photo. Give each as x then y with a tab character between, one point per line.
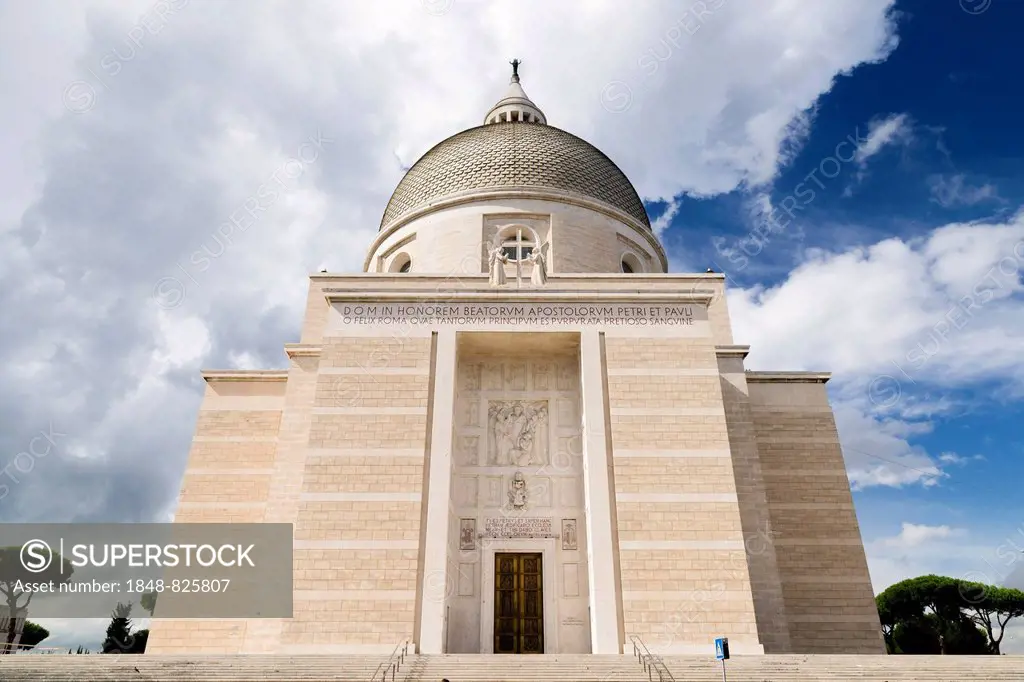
525	187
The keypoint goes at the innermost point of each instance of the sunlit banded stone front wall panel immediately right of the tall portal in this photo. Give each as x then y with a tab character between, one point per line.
684	571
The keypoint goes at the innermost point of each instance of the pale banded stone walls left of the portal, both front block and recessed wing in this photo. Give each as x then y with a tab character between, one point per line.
340	455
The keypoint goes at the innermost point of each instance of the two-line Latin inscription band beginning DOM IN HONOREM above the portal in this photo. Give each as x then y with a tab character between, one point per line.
528	314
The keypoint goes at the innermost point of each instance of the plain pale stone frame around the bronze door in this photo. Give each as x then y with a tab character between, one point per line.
548	550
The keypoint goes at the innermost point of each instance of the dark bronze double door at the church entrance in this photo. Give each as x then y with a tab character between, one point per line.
519	604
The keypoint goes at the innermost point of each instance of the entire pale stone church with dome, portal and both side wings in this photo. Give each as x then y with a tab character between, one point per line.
516	433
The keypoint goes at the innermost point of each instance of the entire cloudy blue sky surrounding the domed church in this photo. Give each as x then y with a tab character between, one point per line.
135	135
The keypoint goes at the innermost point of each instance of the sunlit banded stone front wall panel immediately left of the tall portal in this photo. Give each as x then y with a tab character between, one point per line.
358	518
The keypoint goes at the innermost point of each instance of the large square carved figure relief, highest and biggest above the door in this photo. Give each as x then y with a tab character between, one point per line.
519	432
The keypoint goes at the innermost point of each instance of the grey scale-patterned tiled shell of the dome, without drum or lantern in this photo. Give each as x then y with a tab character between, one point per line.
515	156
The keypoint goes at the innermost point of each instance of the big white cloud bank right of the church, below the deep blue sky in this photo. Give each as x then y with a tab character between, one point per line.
923	308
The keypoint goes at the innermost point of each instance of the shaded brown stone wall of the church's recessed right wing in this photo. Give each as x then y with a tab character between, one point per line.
827	587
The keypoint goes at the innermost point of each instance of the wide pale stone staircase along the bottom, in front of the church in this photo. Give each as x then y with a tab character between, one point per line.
485	668
